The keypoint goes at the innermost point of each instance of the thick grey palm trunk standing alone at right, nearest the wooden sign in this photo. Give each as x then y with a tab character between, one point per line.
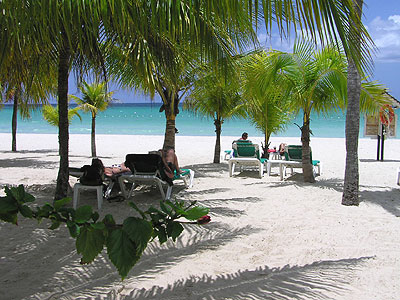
351	177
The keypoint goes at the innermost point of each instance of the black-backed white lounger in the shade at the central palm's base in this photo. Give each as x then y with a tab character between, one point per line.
148	169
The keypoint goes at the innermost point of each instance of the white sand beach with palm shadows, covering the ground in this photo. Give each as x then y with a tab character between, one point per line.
268	239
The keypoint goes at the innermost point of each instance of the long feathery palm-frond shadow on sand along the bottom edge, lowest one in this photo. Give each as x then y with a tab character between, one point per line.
319	280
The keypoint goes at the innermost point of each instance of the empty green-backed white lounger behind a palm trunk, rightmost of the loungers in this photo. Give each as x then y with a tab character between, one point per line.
293	159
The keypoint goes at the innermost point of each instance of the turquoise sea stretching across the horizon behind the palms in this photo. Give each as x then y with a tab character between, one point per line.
145	119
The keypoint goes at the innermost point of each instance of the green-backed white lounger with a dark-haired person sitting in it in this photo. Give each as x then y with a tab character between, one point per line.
246	155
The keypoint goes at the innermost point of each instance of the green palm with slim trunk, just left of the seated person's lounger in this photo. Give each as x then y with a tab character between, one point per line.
217	96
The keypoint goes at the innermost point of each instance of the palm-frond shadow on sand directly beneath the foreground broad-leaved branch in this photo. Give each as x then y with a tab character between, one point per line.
98	278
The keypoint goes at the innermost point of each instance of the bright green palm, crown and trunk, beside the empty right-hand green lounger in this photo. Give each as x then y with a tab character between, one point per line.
318	82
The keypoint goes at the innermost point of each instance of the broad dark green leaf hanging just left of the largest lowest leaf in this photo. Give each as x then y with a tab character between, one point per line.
89	243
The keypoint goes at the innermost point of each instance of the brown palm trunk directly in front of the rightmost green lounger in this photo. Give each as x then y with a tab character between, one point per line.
307	167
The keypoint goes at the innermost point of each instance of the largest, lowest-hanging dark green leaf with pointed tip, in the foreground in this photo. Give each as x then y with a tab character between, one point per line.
121	251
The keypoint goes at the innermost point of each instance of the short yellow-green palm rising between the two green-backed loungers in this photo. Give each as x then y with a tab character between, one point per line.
267	106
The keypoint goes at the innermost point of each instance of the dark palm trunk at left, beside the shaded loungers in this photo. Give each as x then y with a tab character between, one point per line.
63	135
